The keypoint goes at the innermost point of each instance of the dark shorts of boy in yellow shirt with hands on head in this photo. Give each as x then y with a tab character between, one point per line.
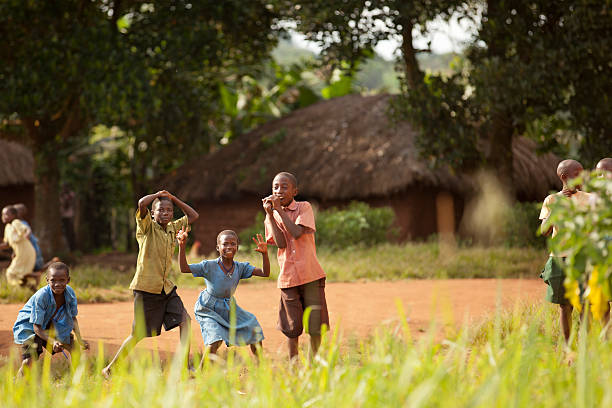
155	309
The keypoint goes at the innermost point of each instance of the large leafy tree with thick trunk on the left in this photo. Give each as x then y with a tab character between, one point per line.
151	68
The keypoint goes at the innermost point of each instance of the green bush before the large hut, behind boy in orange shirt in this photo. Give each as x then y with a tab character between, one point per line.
357	224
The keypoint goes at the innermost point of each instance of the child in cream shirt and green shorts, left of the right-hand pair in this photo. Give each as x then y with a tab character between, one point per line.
553	273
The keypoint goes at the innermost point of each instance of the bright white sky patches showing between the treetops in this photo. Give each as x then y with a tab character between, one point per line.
445	37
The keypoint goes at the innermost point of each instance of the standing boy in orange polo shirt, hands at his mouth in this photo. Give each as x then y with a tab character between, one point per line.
290	225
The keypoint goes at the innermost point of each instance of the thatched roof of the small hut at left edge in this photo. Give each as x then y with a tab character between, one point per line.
16	164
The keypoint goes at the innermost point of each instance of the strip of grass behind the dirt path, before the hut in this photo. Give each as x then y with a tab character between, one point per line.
380	262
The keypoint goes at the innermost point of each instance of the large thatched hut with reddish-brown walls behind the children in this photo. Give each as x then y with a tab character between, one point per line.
341	150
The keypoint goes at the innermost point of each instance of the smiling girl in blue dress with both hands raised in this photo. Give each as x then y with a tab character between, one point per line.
222	275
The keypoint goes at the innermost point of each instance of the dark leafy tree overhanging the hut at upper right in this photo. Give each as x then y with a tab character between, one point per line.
533	69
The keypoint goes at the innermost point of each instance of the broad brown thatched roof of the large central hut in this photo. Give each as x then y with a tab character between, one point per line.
343	148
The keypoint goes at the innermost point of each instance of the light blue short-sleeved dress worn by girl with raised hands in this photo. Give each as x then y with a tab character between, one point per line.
216	307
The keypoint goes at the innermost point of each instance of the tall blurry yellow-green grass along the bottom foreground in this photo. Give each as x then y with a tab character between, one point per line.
514	359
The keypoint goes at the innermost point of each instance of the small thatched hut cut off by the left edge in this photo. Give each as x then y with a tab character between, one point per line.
16	176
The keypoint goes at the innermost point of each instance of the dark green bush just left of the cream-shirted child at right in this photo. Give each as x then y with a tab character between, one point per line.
521	226
